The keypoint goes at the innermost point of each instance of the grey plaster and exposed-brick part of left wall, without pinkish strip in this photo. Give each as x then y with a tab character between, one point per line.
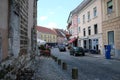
22	32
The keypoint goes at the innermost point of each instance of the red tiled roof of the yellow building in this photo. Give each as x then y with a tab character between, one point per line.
45	30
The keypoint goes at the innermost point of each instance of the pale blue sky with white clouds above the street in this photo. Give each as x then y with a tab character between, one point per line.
55	13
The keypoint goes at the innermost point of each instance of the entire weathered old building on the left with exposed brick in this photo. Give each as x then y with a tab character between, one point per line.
17	27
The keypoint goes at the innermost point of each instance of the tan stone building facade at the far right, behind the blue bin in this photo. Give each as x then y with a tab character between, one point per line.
111	25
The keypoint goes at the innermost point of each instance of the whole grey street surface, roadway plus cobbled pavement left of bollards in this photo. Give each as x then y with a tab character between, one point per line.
89	67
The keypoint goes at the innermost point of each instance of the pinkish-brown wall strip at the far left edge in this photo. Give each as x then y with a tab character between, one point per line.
3	29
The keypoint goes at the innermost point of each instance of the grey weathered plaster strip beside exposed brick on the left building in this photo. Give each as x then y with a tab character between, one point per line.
14	28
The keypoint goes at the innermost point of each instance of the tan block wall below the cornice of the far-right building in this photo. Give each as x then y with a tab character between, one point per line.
112	25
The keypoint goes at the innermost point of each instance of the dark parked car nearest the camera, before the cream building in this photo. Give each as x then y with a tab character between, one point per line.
77	51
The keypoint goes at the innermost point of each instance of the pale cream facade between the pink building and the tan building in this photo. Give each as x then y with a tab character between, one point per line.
90	25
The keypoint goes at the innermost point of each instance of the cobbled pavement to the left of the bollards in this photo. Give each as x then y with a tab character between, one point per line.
47	69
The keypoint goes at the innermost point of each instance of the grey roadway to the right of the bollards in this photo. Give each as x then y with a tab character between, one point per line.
91	67
